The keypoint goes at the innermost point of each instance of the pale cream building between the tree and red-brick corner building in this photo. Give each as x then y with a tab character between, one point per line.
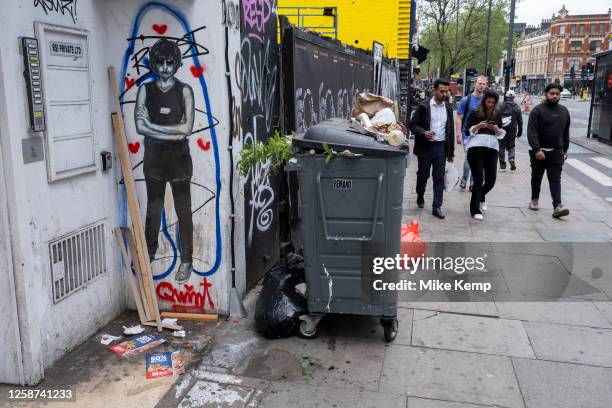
532	61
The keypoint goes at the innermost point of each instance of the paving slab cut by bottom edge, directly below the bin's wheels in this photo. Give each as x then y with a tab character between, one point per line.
283	395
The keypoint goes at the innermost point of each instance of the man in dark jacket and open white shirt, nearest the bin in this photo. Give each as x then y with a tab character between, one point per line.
434	141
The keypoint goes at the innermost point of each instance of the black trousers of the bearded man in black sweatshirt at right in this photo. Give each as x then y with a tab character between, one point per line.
552	165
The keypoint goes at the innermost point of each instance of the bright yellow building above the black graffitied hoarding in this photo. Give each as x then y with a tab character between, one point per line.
359	22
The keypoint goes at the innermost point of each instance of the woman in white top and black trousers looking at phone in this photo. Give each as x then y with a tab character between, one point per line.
485	127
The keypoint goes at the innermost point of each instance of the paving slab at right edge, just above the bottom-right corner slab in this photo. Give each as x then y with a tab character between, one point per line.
572	344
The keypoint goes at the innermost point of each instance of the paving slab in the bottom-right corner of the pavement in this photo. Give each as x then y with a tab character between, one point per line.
547	384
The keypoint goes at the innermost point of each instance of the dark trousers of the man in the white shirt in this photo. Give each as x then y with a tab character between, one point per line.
433	155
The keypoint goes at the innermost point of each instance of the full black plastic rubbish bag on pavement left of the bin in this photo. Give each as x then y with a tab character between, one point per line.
279	306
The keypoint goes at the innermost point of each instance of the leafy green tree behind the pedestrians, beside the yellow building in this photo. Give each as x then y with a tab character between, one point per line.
454	47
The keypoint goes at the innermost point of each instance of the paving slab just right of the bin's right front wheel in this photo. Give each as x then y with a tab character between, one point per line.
470	333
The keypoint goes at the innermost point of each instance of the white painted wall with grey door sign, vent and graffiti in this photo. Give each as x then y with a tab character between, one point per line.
38	212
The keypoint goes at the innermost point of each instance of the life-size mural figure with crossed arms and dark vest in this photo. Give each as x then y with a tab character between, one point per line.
164	114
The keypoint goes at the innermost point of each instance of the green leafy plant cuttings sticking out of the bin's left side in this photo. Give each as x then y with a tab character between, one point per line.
277	150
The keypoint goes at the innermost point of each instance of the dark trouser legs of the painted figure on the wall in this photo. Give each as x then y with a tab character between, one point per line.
181	192
